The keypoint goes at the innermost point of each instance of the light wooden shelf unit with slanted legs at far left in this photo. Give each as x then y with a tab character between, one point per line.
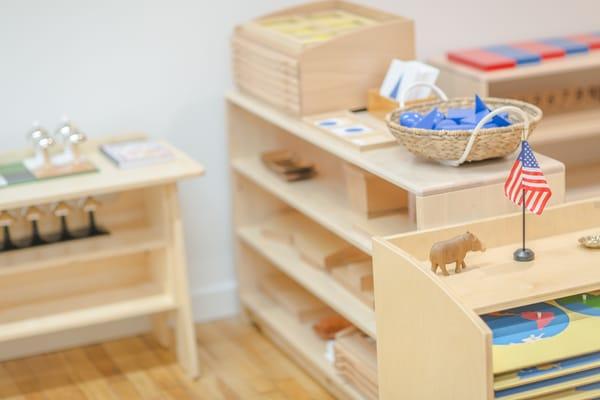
138	269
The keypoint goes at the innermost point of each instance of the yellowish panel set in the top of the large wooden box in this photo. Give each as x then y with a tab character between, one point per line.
315	27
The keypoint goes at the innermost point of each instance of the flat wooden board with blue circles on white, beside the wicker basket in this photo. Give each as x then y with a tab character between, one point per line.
360	130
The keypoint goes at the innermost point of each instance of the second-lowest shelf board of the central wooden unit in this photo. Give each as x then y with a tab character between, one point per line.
318	282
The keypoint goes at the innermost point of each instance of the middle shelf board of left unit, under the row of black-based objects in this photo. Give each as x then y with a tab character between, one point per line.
117	243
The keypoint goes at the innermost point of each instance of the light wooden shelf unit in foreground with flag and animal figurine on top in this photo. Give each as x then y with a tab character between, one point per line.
452	336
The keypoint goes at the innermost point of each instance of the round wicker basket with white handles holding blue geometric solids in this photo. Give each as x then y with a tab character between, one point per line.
451	146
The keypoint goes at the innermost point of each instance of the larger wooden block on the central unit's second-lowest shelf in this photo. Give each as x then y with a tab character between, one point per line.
323	249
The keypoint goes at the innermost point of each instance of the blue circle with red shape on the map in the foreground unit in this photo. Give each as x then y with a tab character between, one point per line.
526	324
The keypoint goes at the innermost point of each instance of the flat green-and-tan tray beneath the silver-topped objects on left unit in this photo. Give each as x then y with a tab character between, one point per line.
18	172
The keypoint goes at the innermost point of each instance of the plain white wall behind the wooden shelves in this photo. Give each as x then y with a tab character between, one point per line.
162	67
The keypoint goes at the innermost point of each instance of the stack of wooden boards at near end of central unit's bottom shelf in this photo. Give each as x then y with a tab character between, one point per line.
356	360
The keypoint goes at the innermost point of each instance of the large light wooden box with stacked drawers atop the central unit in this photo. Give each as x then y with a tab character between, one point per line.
320	56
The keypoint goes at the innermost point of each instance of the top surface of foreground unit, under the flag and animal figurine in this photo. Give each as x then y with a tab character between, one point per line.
561	268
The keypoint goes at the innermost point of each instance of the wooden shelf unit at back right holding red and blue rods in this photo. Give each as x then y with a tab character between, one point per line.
570	129
